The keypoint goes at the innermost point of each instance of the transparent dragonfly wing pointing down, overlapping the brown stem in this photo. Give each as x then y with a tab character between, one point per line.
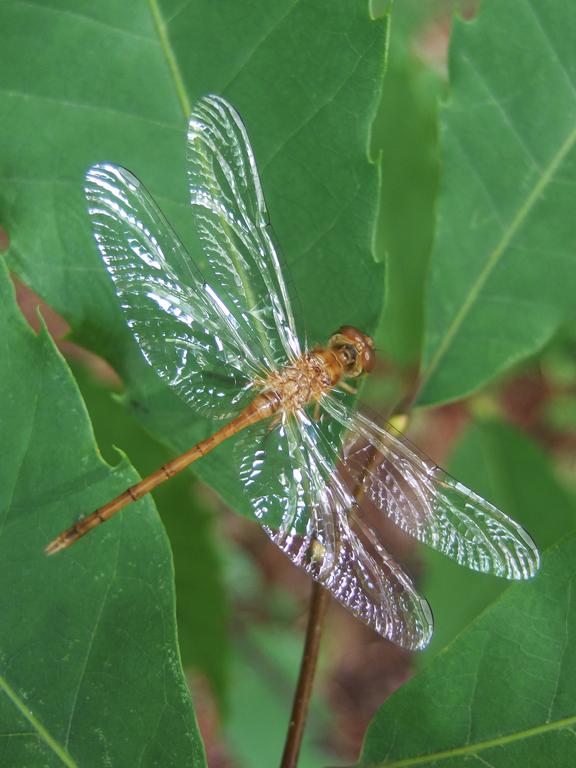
310	515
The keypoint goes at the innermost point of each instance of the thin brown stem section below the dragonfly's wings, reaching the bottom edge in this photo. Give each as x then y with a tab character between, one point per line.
318	603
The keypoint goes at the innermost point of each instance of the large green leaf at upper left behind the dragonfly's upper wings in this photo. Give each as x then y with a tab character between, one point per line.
114	81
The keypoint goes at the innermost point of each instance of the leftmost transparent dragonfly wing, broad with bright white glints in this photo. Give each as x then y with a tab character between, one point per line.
185	331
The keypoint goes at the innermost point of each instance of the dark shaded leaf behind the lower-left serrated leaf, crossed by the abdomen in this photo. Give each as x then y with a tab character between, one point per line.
201	601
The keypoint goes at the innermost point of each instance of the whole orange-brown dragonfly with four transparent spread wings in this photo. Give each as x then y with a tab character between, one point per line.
224	339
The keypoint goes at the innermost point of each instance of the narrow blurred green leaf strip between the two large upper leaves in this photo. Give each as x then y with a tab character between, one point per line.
404	134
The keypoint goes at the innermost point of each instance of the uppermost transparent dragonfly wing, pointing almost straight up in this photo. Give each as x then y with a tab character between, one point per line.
232	221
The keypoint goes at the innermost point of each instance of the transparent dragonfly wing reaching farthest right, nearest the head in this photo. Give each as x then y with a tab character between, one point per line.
428	503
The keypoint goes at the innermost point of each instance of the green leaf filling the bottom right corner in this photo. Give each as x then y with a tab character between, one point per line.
502	694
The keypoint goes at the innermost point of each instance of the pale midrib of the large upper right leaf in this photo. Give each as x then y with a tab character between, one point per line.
497	254
